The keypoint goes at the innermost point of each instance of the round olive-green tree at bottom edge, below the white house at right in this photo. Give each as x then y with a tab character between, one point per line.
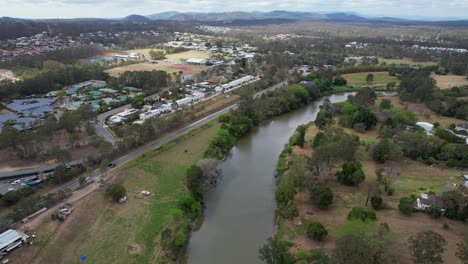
427	247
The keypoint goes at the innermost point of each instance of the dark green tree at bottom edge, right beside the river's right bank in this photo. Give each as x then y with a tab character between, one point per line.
276	251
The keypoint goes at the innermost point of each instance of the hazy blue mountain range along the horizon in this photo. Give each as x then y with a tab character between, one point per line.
249	18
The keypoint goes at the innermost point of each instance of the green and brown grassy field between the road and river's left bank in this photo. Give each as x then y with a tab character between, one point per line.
129	233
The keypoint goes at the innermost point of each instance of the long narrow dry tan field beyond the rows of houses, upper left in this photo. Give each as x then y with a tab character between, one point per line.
160	66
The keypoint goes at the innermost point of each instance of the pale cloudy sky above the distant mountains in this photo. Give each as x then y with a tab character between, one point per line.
120	8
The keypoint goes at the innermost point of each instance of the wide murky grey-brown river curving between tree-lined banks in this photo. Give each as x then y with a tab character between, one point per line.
239	212
